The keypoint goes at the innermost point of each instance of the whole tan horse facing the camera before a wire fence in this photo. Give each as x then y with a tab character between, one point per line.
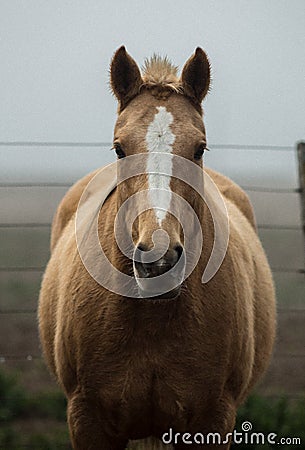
147	349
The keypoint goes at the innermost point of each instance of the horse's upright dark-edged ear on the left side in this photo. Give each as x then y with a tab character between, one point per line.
125	77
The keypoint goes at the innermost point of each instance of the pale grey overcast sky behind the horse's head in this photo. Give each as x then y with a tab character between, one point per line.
55	59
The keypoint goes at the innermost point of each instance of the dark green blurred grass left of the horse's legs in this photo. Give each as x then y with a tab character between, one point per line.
23	416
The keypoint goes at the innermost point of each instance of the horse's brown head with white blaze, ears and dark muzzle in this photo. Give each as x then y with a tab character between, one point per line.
159	128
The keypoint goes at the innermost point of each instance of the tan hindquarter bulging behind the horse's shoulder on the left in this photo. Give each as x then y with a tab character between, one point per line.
67	207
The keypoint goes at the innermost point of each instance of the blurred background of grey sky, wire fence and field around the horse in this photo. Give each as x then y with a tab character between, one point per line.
56	122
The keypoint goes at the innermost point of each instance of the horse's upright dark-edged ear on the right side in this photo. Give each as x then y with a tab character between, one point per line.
195	76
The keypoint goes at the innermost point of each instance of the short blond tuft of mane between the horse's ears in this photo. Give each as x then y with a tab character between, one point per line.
160	73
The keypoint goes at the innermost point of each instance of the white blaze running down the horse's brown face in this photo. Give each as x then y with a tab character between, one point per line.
159	140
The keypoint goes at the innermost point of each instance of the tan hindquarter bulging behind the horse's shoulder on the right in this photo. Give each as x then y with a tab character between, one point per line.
234	193
